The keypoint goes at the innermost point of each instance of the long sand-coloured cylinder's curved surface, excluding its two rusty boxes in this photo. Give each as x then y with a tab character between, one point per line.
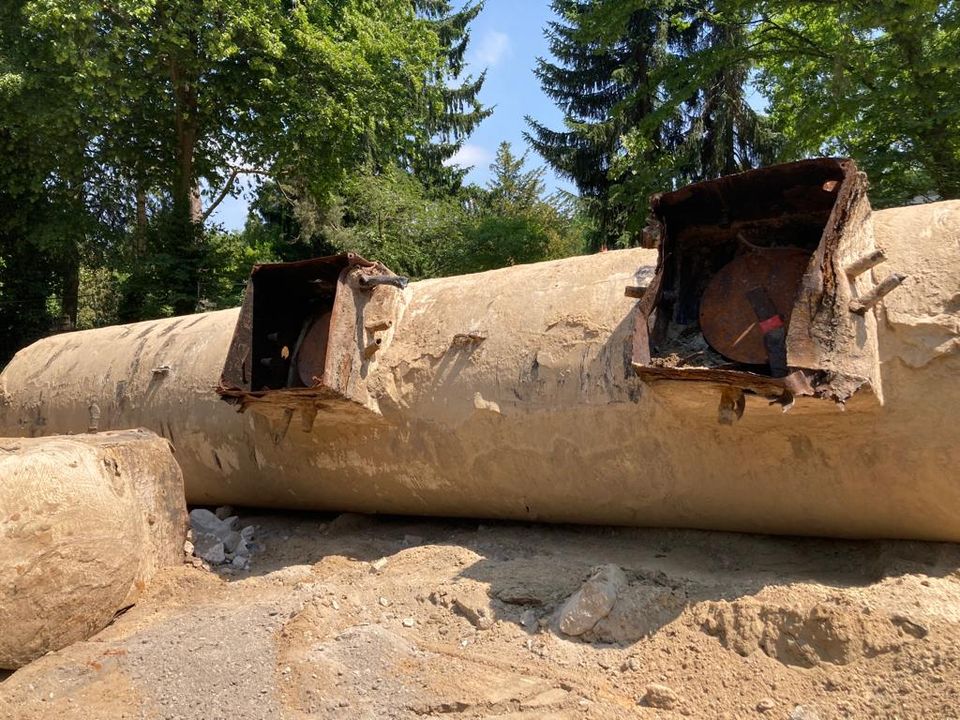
545	419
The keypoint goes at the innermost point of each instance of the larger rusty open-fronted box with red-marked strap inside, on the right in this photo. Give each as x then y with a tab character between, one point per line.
750	289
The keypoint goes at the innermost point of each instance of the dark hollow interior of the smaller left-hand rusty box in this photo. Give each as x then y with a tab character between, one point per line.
292	304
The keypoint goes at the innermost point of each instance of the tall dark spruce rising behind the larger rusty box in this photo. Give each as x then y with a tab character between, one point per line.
654	97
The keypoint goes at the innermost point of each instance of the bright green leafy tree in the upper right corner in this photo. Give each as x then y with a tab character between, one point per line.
876	81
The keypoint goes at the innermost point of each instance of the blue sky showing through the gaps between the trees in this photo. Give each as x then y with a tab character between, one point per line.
506	39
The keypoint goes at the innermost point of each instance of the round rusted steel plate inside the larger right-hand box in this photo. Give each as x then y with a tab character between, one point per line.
727	319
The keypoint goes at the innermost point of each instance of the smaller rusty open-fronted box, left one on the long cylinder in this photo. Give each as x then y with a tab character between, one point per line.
301	340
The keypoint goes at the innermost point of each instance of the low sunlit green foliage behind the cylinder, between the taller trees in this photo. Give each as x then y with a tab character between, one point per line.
391	216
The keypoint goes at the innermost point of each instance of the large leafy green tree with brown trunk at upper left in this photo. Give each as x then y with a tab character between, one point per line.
168	99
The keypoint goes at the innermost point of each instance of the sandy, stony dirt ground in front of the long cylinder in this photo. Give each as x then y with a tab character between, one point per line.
363	617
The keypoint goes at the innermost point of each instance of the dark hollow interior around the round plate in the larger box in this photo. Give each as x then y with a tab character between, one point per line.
775	215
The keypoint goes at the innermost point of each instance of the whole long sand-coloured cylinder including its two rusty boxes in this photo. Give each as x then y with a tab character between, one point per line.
608	388
